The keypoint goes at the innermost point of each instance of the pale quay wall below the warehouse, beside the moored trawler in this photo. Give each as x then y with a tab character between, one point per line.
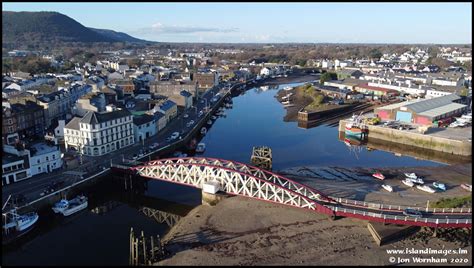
425	141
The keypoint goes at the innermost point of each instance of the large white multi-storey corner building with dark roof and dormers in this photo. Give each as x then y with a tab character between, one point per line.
100	133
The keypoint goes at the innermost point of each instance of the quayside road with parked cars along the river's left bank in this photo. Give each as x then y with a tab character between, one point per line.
32	188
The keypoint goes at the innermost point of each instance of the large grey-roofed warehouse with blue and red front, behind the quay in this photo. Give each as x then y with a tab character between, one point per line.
423	111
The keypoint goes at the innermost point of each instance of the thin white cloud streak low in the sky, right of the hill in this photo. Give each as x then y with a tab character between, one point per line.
177	29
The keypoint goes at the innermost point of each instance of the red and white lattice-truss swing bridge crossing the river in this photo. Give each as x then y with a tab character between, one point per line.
236	178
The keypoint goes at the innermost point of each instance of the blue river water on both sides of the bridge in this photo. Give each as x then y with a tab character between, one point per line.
100	234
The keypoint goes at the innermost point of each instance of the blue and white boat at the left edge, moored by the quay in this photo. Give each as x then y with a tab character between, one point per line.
16	225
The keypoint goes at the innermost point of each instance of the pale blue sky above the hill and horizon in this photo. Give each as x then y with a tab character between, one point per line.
440	23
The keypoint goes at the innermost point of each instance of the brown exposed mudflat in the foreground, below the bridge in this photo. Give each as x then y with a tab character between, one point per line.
245	231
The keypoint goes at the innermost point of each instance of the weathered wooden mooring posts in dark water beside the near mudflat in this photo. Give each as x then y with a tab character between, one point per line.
145	251
